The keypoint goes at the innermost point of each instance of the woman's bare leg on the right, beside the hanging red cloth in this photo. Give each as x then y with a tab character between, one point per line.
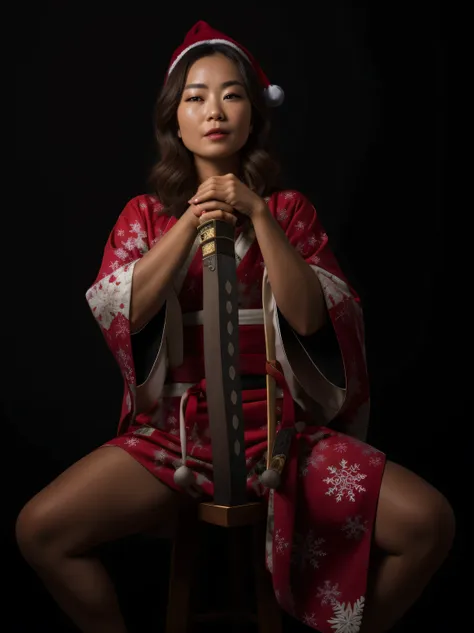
414	531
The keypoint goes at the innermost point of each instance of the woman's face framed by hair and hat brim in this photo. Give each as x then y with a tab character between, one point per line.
214	98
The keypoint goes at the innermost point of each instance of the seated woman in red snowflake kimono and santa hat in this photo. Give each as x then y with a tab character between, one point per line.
355	510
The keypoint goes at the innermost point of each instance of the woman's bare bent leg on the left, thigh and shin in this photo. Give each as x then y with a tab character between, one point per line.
104	496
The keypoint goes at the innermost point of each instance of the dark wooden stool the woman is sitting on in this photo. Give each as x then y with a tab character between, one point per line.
187	543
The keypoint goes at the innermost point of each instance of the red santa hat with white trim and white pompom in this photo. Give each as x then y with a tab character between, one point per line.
202	33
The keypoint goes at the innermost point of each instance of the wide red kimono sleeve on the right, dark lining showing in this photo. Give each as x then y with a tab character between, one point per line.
326	371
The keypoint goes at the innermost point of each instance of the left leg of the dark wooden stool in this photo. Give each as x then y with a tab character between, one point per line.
183	560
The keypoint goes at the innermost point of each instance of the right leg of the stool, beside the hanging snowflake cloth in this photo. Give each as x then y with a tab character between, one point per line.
268	610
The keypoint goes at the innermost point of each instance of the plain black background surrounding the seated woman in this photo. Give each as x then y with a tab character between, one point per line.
363	133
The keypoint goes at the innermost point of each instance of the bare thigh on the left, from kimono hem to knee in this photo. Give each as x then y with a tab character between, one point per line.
104	496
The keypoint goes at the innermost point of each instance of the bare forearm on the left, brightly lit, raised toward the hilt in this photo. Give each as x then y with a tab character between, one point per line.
155	270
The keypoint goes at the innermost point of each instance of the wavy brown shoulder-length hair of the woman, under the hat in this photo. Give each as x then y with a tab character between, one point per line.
173	178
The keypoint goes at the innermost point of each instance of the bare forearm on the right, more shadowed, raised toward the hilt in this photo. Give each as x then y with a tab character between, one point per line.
297	291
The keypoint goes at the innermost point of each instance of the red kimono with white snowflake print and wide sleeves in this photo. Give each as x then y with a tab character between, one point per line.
321	518
